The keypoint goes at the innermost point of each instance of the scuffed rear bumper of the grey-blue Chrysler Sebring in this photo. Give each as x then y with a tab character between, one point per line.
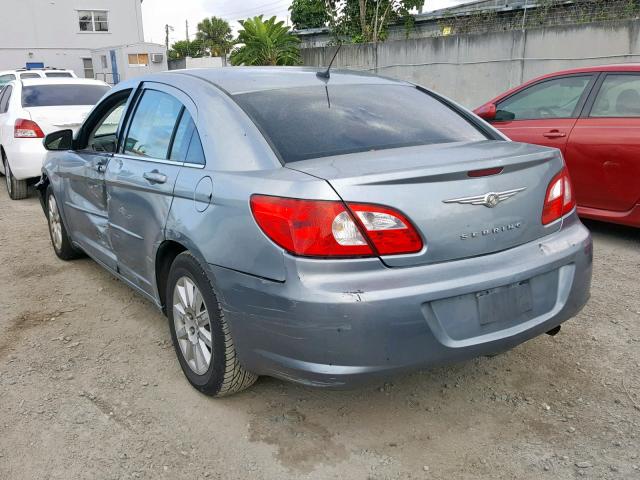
331	324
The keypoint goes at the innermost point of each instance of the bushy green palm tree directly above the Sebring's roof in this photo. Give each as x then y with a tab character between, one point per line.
265	43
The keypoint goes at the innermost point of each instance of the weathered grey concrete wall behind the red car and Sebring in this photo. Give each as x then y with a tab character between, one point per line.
472	69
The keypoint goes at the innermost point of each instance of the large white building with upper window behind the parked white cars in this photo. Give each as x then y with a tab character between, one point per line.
63	33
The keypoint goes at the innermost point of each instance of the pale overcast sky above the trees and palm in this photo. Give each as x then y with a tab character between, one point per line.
158	13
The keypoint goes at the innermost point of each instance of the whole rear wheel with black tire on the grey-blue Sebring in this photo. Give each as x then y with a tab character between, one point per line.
200	331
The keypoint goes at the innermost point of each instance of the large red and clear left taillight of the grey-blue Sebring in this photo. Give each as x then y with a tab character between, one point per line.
324	228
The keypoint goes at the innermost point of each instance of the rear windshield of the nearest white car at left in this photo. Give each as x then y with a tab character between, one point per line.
60	95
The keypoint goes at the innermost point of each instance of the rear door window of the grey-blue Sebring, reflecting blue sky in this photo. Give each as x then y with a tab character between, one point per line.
152	125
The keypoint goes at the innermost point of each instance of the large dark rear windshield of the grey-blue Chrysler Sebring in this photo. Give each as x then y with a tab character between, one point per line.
313	122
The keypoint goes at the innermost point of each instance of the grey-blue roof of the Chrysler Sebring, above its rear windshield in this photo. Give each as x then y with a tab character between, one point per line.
239	80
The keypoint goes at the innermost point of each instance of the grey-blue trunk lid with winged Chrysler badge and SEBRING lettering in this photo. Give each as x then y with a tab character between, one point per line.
457	215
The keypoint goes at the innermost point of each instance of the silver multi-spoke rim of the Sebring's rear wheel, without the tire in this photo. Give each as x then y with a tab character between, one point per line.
192	325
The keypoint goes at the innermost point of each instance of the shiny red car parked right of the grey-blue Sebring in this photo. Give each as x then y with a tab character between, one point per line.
593	116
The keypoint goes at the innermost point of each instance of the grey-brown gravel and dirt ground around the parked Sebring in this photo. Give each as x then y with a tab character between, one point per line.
90	388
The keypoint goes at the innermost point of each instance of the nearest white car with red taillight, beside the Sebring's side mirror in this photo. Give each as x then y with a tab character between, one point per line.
29	110
